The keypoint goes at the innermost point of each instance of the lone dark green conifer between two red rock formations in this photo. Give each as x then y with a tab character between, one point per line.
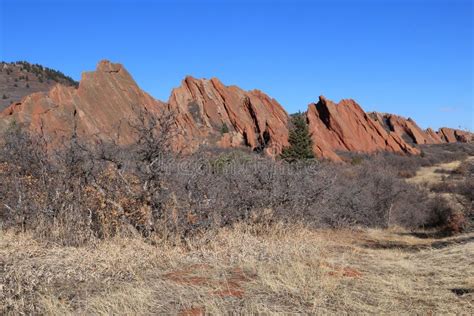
300	140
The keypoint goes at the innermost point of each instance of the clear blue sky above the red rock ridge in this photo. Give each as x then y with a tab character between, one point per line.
413	58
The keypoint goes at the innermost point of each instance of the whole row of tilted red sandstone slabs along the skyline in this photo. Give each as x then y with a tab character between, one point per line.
206	112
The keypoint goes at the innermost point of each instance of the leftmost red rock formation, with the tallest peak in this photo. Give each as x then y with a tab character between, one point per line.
99	108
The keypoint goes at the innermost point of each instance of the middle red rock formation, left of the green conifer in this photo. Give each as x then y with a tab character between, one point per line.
230	115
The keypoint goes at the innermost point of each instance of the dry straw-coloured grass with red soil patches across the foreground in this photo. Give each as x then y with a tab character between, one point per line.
284	270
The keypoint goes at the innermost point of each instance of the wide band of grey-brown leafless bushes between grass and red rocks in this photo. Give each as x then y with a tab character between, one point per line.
85	191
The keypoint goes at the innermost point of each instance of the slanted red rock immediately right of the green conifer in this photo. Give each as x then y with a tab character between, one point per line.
346	127
